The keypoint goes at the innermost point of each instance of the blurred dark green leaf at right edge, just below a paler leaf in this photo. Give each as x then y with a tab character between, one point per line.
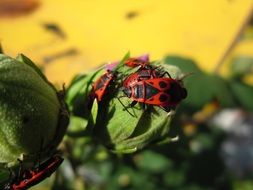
243	94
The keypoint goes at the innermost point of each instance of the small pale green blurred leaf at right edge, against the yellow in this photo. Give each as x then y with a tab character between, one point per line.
241	65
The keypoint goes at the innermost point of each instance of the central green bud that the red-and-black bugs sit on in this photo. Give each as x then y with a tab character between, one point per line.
126	131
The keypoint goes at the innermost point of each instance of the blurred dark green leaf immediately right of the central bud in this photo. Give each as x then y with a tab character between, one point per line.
202	88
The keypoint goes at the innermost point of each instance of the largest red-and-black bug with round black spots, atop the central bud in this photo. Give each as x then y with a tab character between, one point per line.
163	92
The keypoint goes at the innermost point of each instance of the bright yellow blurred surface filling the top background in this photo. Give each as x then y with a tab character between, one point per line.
69	37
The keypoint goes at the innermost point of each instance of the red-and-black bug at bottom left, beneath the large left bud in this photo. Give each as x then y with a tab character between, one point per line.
31	177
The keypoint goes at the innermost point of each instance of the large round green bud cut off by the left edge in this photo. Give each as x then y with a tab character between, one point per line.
33	116
